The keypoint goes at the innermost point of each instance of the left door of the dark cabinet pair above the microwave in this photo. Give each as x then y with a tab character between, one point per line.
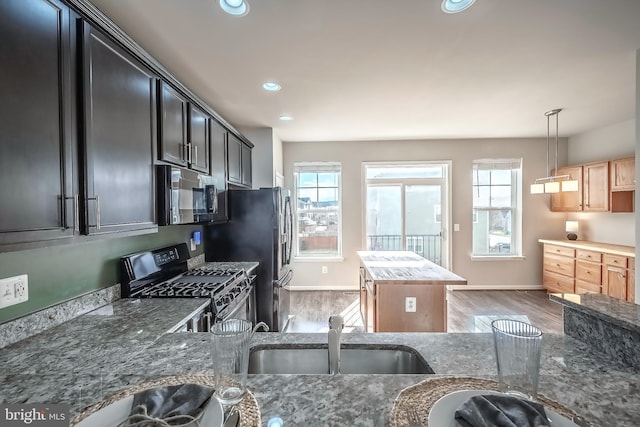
173	126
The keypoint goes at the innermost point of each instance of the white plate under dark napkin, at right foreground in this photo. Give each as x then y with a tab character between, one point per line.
443	411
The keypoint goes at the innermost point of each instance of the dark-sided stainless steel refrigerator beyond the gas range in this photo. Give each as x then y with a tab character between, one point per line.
259	229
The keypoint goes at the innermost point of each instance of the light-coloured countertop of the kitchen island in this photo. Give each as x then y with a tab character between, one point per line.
406	267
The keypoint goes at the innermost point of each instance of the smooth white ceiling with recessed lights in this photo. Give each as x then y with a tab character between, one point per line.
392	69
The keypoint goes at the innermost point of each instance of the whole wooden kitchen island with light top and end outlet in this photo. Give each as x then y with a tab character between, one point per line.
400	291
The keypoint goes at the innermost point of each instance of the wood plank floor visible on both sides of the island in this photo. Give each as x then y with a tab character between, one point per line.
469	311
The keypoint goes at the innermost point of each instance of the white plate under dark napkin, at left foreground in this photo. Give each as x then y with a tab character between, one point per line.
114	414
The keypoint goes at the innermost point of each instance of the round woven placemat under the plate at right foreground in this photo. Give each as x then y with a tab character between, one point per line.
421	397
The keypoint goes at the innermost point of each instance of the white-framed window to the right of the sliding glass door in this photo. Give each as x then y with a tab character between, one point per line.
497	215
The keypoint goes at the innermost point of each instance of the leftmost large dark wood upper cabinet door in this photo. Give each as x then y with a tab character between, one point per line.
36	121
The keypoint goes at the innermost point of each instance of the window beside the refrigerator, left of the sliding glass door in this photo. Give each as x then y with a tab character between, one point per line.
318	209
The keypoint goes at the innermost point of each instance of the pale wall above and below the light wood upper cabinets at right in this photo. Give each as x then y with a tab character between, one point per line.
607	143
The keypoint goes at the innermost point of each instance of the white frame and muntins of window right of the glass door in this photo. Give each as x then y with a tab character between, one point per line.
515	206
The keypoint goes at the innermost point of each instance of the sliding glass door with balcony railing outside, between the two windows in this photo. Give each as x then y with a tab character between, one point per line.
407	208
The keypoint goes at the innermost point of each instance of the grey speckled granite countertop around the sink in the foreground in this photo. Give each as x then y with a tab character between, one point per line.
86	360
